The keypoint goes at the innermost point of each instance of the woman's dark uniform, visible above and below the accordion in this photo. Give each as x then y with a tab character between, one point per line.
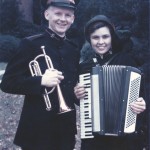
127	142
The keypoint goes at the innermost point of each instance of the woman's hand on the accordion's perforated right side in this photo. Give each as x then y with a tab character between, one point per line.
138	106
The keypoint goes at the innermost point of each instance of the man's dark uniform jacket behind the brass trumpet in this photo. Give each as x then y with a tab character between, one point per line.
36	124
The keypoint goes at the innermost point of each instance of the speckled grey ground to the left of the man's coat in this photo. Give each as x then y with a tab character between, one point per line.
10	109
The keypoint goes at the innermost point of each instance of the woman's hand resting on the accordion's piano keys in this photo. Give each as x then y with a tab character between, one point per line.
79	91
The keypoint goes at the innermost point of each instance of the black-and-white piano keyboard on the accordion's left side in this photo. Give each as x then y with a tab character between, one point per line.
85	108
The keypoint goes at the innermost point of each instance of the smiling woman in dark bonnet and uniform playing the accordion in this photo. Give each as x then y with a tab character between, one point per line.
100	33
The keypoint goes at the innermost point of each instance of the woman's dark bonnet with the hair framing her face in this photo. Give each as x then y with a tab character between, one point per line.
99	22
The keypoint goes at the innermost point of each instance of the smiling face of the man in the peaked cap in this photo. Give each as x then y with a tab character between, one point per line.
60	19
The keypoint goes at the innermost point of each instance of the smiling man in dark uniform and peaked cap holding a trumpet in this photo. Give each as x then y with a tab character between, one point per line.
38	128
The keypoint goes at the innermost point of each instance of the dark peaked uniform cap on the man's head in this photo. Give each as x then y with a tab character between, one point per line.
71	4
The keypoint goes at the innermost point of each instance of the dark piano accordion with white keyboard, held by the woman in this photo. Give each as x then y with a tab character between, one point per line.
105	110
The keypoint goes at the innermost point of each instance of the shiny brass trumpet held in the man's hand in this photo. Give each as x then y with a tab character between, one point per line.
36	71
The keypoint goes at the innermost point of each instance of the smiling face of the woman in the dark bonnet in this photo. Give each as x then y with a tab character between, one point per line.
101	40
